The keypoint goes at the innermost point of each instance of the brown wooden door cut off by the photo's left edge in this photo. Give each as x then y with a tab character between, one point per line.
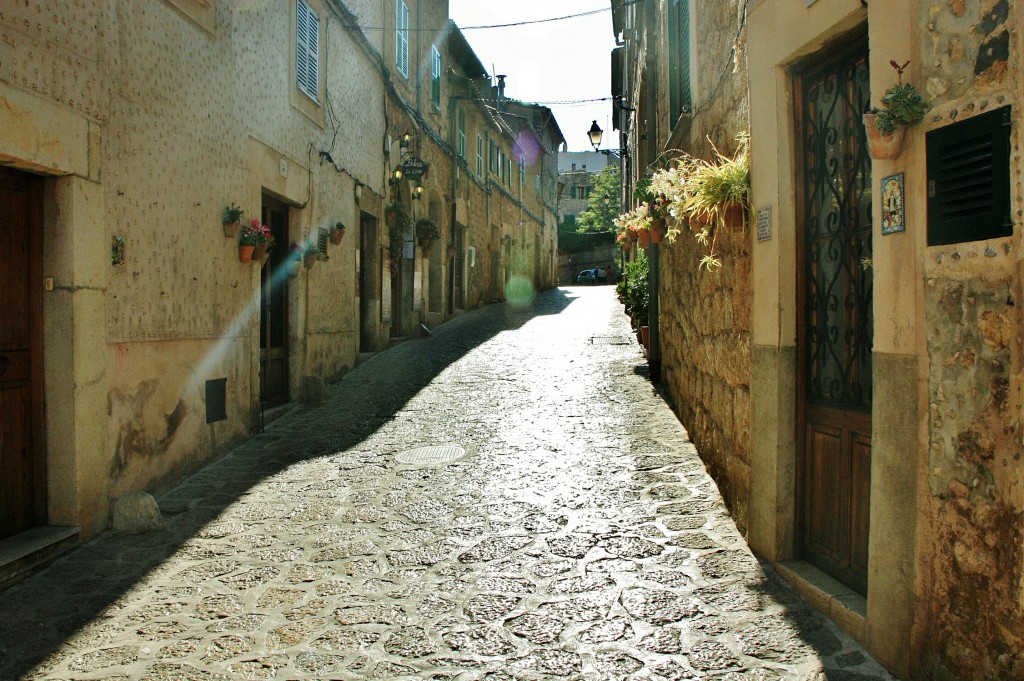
23	474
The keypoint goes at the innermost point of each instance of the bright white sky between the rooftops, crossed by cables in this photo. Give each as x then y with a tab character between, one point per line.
568	60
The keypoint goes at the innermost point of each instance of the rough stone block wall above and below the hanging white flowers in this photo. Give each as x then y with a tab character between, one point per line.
706	315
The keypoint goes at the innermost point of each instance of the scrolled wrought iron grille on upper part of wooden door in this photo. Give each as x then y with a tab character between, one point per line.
838	234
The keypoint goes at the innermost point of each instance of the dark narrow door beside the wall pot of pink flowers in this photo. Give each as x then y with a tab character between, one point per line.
274	310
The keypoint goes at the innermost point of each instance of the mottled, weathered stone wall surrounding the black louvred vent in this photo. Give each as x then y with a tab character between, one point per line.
973	517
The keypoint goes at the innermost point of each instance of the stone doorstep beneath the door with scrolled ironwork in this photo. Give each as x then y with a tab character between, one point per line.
836	601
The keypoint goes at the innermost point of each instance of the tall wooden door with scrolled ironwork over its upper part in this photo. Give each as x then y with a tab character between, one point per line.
835	306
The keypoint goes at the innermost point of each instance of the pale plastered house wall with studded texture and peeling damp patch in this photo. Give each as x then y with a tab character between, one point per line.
174	114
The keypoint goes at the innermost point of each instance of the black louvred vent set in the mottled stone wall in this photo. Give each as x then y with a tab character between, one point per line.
969	180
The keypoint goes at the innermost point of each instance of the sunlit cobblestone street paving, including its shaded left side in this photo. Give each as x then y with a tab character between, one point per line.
509	499
